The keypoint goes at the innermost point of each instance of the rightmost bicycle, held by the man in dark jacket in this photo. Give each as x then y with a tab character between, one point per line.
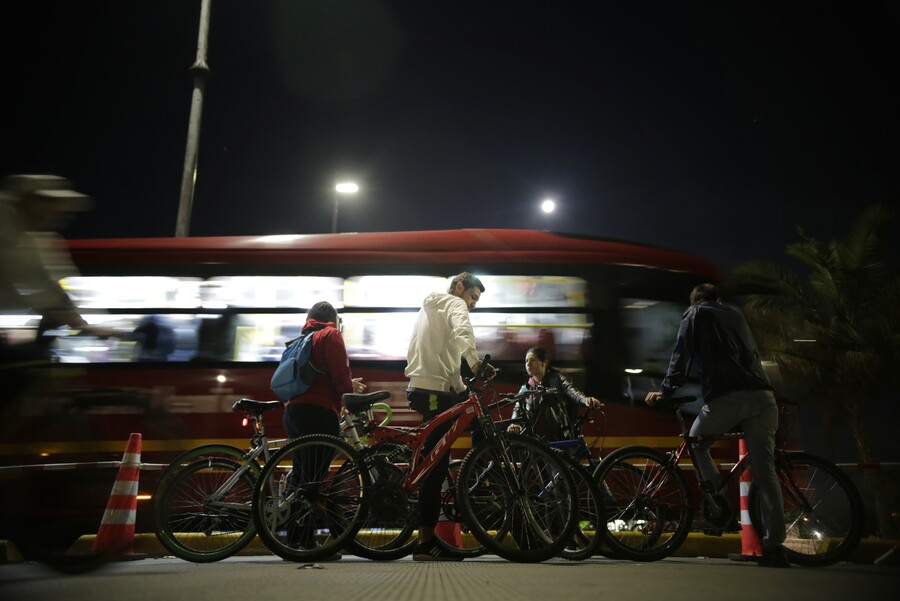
651	511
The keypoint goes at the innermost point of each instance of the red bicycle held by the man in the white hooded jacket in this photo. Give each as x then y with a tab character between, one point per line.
516	494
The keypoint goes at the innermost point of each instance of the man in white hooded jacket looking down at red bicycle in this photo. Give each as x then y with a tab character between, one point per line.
442	339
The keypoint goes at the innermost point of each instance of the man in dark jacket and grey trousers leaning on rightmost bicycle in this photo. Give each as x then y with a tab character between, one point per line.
715	339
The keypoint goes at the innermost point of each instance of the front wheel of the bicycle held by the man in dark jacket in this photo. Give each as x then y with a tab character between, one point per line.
647	504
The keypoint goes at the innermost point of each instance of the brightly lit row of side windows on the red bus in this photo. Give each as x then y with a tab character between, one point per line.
249	318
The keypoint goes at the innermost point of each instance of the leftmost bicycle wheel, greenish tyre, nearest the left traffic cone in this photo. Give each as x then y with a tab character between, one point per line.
202	512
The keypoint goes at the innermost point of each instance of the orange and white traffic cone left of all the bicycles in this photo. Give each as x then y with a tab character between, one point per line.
115	537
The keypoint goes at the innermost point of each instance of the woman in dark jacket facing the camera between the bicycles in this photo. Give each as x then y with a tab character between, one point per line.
550	415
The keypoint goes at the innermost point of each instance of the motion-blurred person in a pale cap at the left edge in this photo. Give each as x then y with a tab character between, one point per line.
33	257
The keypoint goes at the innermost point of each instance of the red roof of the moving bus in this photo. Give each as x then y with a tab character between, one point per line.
463	246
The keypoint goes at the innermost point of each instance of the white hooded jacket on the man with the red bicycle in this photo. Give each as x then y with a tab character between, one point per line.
443	335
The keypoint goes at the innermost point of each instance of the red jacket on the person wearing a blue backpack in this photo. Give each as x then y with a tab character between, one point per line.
329	355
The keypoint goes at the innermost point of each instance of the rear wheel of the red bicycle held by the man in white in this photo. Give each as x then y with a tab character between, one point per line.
312	512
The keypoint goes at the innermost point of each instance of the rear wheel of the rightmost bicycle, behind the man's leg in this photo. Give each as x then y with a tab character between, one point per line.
823	511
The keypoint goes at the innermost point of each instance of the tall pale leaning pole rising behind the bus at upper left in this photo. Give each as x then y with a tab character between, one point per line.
200	71
